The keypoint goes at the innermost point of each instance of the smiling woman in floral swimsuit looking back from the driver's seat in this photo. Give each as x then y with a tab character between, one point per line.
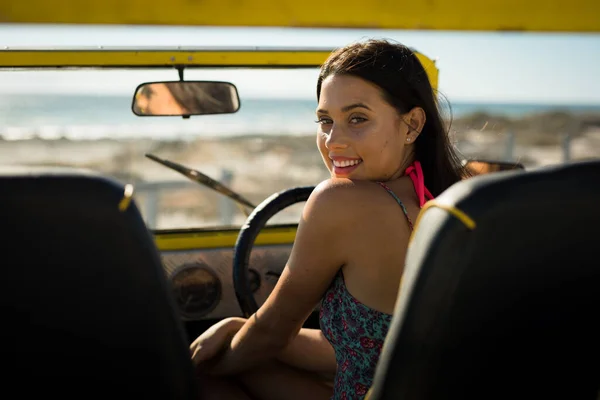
381	136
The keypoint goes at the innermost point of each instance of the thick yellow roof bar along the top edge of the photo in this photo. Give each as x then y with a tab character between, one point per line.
465	15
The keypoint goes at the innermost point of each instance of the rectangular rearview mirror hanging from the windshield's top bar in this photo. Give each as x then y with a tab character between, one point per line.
185	98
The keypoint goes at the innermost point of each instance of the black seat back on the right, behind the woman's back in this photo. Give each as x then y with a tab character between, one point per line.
501	293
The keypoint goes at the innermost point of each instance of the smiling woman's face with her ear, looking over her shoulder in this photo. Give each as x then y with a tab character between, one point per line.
360	135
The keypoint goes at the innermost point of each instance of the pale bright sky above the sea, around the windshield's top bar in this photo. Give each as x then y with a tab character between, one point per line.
487	67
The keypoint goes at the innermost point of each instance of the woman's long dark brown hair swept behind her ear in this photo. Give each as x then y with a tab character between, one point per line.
405	85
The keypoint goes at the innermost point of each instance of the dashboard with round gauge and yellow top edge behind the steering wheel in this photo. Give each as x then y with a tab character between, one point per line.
201	279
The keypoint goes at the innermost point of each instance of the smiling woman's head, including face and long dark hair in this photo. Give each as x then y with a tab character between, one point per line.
389	115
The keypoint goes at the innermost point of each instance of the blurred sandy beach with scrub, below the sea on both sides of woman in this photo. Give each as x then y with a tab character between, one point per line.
257	166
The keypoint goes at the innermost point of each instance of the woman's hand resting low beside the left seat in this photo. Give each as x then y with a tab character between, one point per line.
214	340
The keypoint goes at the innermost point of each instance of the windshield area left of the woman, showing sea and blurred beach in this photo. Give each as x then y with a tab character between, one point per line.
83	119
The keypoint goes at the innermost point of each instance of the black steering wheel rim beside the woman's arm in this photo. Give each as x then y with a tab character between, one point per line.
248	233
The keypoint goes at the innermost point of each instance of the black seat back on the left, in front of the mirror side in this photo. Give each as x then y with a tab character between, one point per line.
85	308
